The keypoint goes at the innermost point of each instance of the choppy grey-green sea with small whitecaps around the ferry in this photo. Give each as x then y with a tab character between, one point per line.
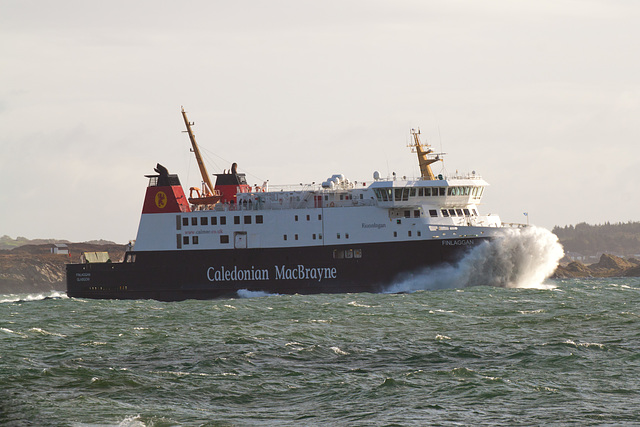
553	352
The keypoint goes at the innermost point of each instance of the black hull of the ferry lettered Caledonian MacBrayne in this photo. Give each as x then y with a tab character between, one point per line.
209	274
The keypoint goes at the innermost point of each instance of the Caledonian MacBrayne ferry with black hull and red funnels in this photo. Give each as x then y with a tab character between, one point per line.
336	237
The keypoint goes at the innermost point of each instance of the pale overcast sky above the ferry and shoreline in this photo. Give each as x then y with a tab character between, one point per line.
541	98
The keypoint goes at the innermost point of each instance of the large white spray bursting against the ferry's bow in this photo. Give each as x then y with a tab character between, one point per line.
519	258
